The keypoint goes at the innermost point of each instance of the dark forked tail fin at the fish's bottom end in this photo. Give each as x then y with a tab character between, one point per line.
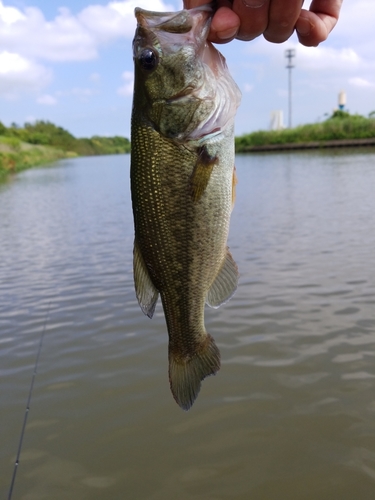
185	375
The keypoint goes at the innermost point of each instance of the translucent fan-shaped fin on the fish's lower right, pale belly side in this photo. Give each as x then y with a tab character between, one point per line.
225	284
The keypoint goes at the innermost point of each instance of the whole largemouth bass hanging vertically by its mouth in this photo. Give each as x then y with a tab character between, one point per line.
182	185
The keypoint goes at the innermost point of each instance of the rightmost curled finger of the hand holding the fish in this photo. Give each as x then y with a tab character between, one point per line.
314	26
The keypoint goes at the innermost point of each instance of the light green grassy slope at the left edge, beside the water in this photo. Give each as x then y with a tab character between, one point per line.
16	155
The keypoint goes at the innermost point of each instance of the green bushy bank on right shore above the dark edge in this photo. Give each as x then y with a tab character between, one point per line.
341	125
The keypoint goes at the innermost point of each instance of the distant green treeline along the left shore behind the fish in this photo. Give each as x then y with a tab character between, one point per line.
47	134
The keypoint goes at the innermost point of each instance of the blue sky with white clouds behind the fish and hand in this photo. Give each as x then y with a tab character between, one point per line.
70	62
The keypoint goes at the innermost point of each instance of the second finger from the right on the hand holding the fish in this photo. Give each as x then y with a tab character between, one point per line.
282	19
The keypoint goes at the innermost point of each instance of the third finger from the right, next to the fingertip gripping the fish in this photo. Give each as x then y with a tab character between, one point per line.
254	17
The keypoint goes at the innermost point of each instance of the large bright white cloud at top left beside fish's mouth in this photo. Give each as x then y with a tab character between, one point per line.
69	37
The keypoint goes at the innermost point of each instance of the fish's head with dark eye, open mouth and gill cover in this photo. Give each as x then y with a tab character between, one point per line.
177	74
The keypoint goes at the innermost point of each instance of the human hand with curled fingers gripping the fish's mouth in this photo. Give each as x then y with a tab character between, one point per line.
276	20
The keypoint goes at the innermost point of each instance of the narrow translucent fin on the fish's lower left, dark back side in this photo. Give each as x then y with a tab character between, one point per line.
145	290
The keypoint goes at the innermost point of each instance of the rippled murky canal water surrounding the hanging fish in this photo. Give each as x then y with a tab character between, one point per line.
290	415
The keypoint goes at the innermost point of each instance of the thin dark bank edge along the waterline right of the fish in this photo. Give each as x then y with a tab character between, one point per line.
293	146
